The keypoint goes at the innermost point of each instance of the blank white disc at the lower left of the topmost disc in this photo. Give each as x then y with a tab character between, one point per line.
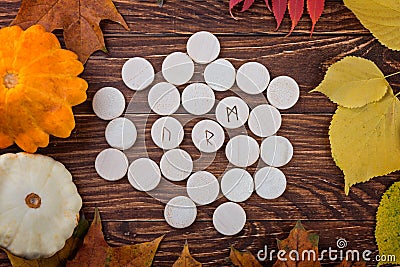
177	68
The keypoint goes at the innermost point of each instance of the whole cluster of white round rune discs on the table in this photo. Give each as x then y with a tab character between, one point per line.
208	136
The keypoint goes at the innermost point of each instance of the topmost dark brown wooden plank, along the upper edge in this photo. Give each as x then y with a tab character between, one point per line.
176	17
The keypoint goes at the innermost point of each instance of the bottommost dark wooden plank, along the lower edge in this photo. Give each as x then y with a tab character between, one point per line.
212	249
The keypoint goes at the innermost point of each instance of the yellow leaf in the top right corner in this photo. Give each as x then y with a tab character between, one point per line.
381	17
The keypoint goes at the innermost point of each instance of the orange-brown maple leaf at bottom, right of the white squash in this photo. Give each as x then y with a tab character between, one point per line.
96	252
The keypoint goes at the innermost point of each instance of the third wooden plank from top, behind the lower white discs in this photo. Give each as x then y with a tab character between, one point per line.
315	184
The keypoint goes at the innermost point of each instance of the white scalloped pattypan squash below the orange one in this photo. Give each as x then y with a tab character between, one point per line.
39	205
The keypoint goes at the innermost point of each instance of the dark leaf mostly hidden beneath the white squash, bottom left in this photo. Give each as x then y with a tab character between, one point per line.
61	257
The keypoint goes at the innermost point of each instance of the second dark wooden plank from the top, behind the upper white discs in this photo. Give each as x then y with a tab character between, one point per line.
304	60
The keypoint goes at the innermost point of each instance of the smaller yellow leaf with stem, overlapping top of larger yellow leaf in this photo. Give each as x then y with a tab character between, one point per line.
353	82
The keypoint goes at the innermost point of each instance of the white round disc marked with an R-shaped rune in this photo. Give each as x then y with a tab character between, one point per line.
208	136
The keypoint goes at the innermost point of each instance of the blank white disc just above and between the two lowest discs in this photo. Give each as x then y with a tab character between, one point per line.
202	187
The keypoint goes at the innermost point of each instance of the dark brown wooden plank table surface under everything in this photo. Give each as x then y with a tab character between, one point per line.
315	185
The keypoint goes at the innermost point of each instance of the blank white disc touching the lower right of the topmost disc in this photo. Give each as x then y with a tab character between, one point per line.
220	75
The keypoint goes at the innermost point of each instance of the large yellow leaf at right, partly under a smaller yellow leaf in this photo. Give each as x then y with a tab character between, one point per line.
365	142
